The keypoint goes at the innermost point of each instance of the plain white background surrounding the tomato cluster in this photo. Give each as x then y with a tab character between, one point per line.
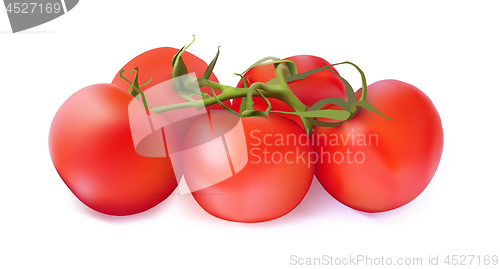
449	49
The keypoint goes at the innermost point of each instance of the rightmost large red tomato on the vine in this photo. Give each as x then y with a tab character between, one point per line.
372	164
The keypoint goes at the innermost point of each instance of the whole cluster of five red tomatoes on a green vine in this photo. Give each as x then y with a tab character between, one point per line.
121	151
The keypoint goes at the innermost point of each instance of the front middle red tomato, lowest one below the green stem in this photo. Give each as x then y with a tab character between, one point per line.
247	170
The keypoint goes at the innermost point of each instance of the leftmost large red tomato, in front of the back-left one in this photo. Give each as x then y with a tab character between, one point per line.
91	147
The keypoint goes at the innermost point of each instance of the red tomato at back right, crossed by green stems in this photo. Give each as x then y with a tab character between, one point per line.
310	90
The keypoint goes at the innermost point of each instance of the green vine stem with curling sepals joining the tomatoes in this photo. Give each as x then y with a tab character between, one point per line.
184	84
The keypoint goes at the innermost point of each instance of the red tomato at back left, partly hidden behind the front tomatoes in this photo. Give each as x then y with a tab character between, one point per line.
157	63
